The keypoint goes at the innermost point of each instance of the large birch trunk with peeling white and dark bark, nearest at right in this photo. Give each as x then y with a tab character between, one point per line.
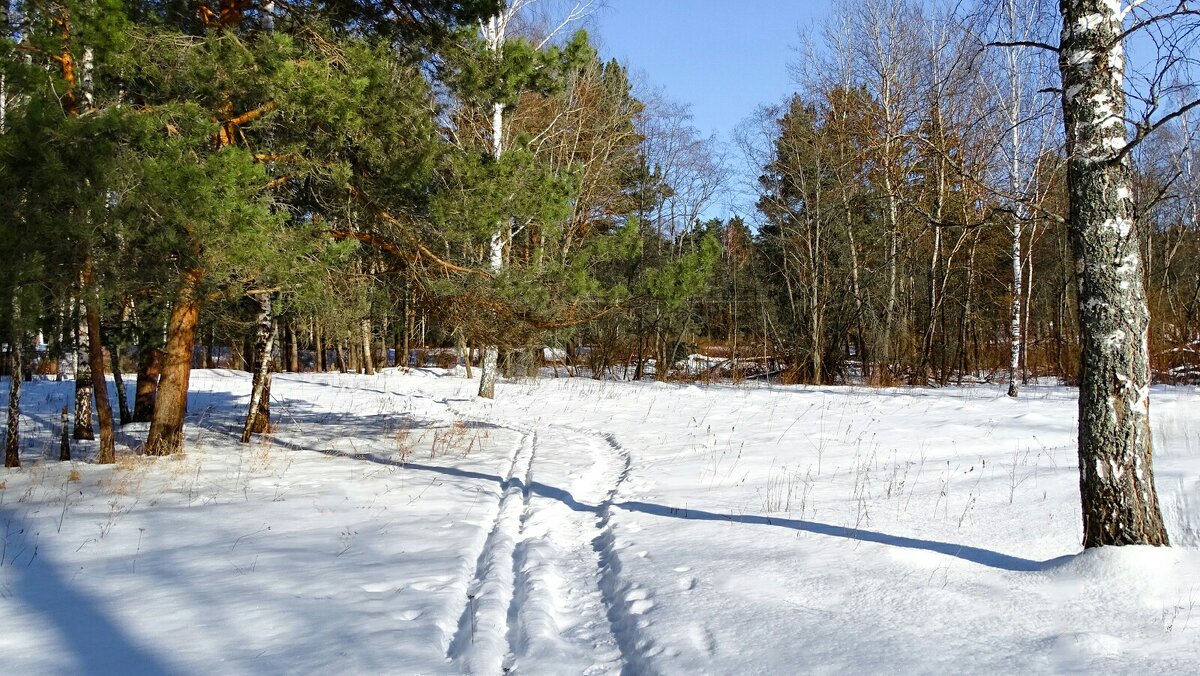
1117	477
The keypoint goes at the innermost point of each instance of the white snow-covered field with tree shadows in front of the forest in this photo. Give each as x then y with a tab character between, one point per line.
397	525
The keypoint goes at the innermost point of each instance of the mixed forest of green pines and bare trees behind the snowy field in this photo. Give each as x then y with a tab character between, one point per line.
286	187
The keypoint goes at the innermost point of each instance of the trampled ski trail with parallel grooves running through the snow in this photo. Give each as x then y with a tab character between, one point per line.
566	600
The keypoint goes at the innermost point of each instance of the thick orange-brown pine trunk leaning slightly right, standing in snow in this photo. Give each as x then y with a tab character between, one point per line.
166	435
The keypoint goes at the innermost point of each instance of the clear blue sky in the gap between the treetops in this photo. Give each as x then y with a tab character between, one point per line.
724	58
